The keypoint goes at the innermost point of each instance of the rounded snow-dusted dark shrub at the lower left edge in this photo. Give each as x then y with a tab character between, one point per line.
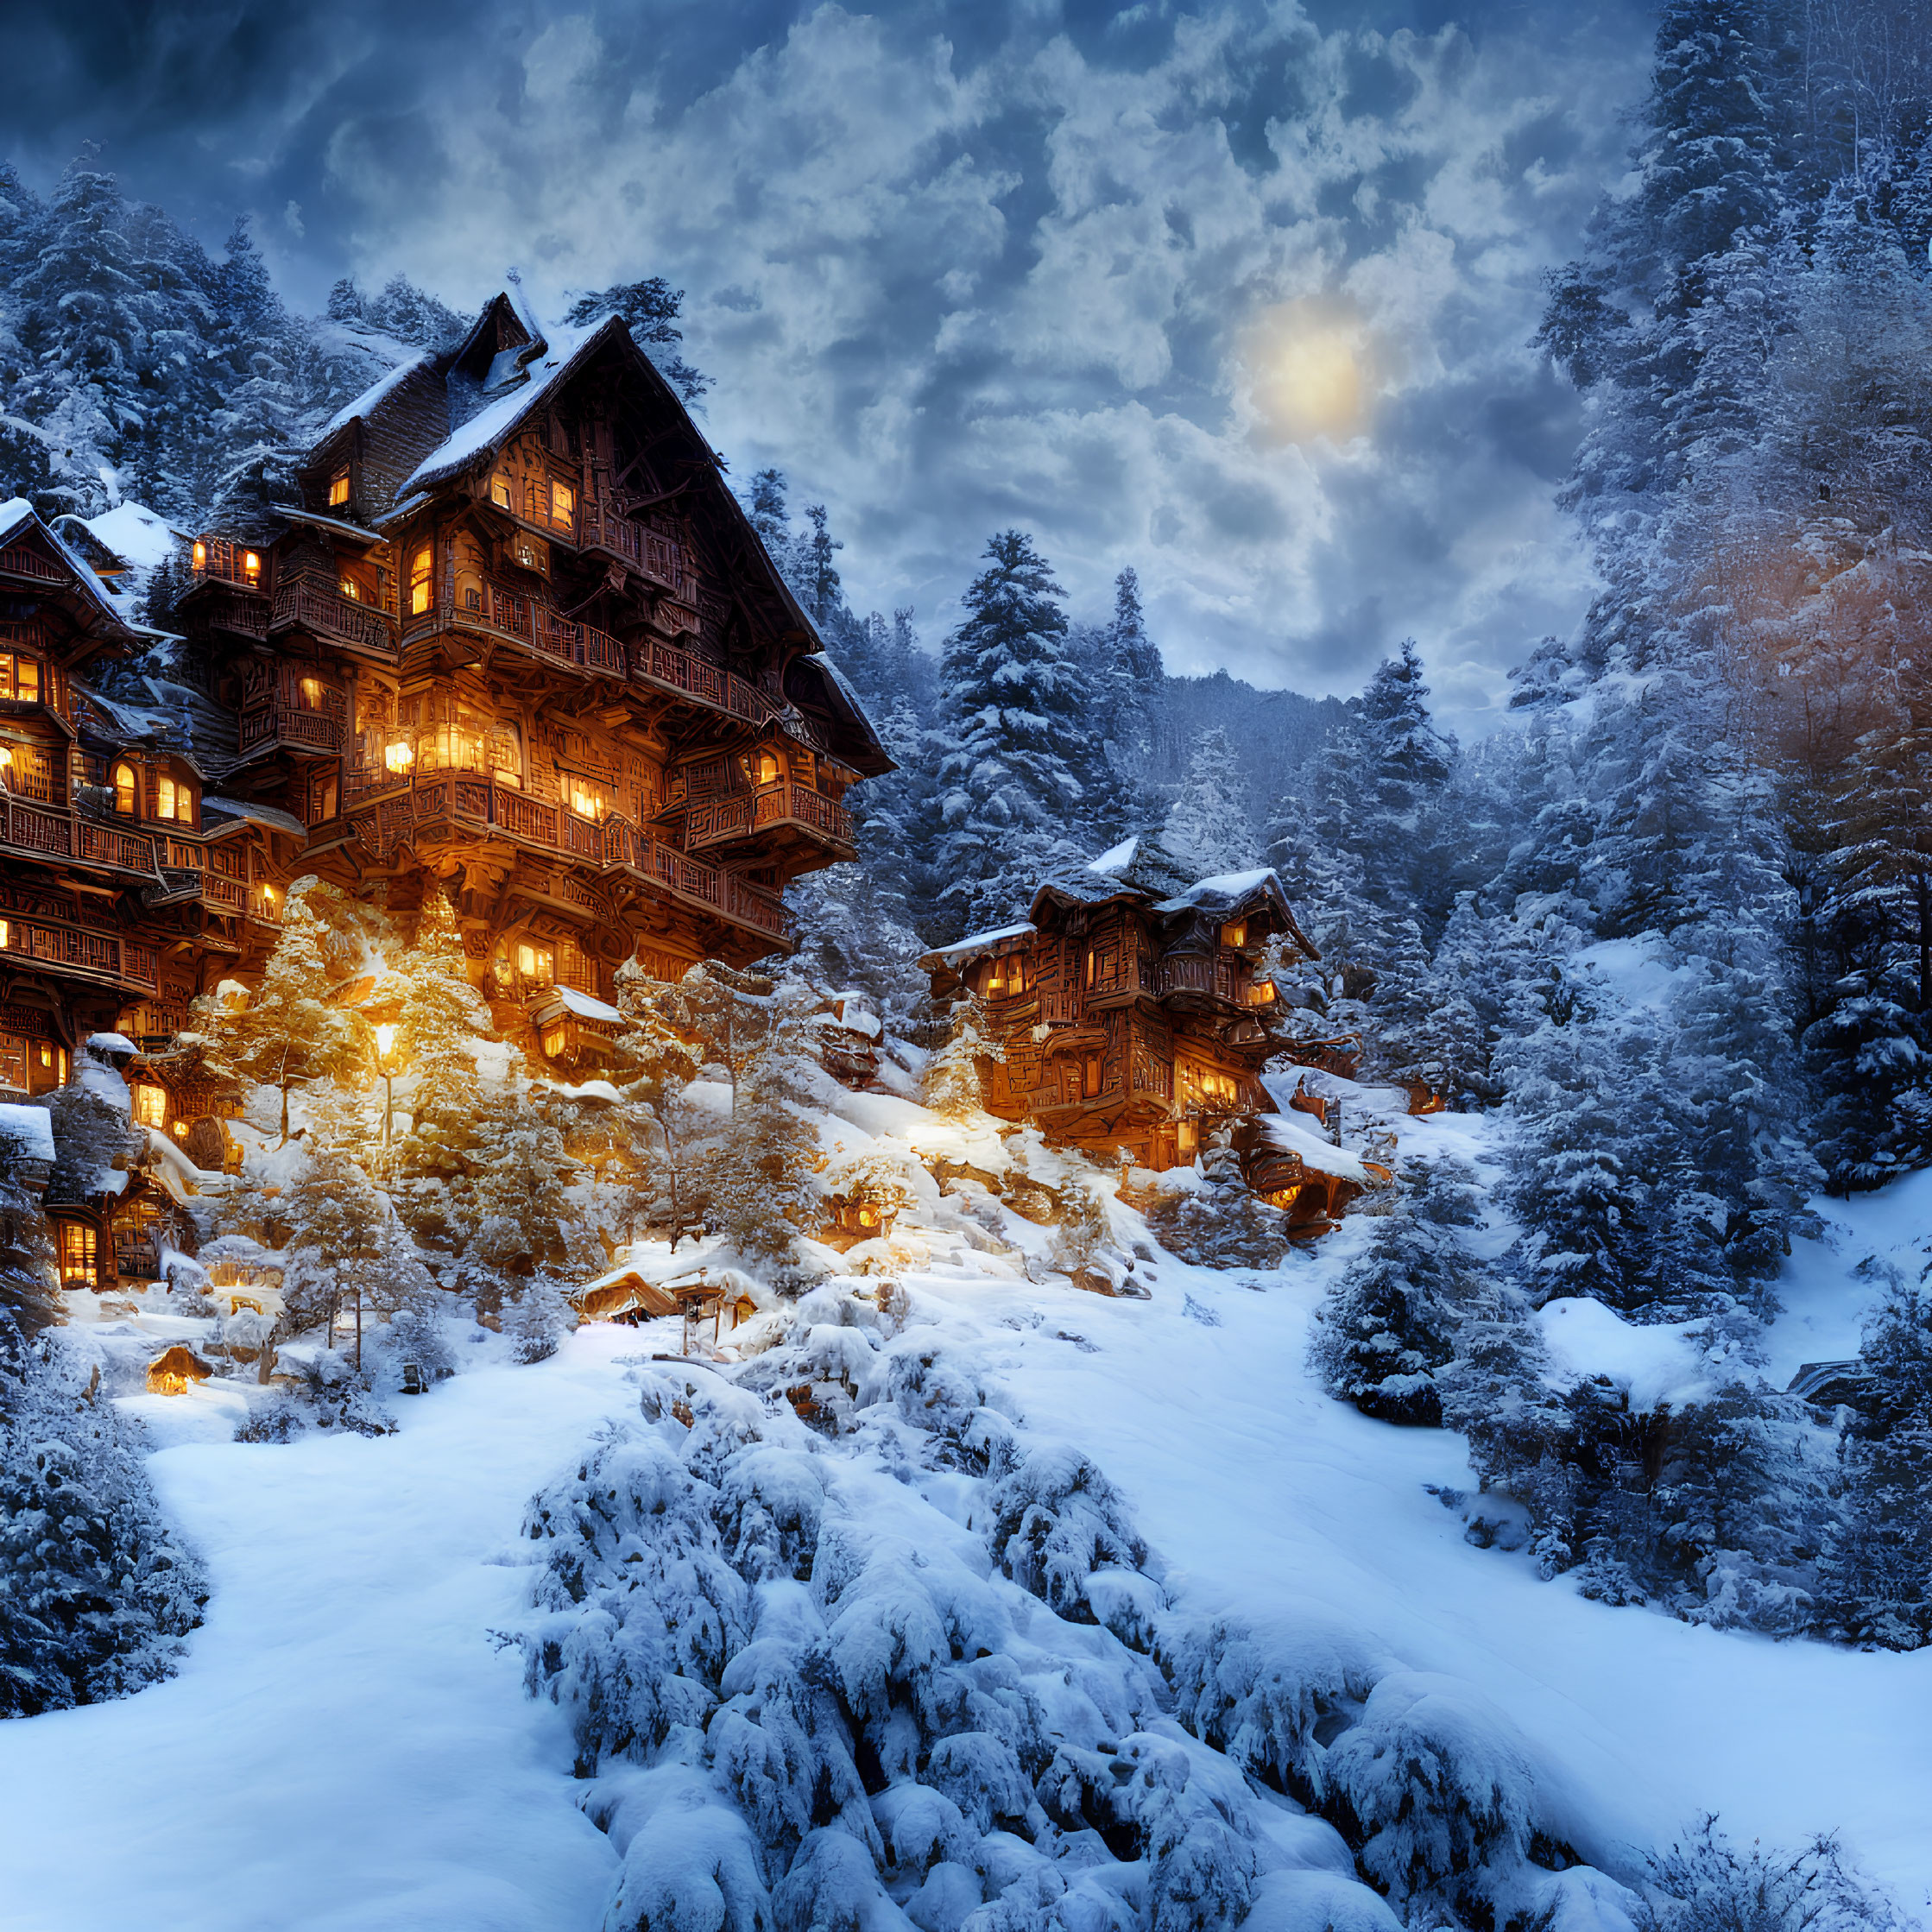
96	1589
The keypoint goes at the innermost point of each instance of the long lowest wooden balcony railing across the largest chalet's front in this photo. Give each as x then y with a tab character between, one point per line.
470	801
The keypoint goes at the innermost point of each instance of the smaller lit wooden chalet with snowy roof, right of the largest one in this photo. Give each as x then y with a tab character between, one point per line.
1129	1004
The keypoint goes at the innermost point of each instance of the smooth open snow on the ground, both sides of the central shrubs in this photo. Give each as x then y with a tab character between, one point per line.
347	1749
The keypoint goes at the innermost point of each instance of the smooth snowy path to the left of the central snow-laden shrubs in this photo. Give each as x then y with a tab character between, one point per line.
343	1751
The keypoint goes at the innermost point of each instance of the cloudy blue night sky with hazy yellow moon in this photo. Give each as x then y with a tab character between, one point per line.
1239	295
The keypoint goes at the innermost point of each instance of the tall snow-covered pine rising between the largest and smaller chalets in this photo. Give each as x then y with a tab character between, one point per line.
1015	743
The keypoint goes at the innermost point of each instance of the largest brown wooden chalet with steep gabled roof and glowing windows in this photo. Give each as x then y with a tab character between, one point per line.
519	637
